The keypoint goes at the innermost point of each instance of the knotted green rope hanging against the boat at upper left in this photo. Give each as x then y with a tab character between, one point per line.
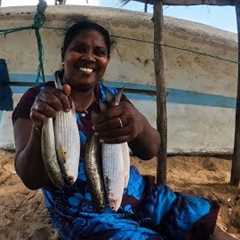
38	22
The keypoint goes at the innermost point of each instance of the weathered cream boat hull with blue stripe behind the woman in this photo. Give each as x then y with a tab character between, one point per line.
200	70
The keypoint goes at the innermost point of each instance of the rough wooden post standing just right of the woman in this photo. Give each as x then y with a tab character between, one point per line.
161	92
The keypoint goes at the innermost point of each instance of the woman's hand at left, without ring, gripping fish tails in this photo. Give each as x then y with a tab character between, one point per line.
48	102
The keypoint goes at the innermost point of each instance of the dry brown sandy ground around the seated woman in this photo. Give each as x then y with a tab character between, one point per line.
22	213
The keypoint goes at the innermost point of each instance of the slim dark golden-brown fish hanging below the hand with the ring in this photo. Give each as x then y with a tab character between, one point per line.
93	169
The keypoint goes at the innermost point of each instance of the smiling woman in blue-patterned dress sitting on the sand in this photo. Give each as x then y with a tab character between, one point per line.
147	211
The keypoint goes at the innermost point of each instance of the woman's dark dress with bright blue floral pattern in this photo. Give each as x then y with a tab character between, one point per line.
147	211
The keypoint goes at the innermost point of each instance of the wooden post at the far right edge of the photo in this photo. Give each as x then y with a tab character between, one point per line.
235	172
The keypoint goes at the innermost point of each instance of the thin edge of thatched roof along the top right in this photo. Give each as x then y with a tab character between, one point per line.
189	2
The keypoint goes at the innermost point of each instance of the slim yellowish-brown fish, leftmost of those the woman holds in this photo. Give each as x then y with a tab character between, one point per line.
49	154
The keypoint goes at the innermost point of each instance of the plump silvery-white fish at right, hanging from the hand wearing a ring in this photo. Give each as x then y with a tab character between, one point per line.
115	163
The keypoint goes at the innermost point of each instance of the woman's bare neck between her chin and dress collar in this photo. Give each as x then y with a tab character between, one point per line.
83	99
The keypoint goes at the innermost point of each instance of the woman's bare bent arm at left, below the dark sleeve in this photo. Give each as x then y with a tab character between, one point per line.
28	162
